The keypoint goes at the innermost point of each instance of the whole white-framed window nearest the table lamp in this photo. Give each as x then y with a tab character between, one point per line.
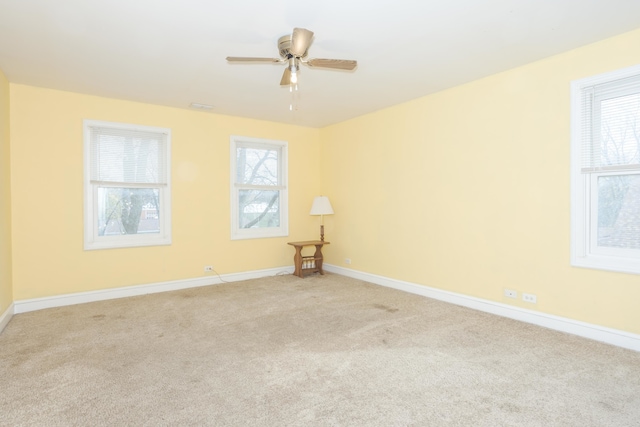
258	188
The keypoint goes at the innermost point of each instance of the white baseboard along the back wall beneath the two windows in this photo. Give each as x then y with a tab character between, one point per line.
23	306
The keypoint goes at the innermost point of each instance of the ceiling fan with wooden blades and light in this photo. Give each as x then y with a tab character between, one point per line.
293	51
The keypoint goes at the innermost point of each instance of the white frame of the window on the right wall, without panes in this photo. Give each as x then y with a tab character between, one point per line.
585	251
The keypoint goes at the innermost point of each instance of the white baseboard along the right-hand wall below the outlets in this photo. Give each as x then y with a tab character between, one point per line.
595	332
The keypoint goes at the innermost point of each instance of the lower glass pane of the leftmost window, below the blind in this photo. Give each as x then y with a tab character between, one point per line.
128	211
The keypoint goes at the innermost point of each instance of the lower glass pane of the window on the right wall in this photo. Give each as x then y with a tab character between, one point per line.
619	211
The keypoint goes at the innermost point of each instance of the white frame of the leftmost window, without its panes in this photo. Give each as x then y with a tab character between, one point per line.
92	239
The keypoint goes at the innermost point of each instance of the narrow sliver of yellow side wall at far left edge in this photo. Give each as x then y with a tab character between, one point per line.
6	293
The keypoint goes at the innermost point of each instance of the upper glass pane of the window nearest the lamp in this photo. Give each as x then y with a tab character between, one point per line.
257	166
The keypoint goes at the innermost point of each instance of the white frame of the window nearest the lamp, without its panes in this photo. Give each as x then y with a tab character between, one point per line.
238	233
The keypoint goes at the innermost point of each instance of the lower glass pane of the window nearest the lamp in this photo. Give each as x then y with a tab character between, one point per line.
259	209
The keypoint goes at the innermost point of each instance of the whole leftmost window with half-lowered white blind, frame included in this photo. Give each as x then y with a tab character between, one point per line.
127	185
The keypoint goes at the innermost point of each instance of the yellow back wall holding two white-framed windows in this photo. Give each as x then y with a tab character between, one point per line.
47	195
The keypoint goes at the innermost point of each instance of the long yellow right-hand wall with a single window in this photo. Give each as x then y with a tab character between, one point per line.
468	190
